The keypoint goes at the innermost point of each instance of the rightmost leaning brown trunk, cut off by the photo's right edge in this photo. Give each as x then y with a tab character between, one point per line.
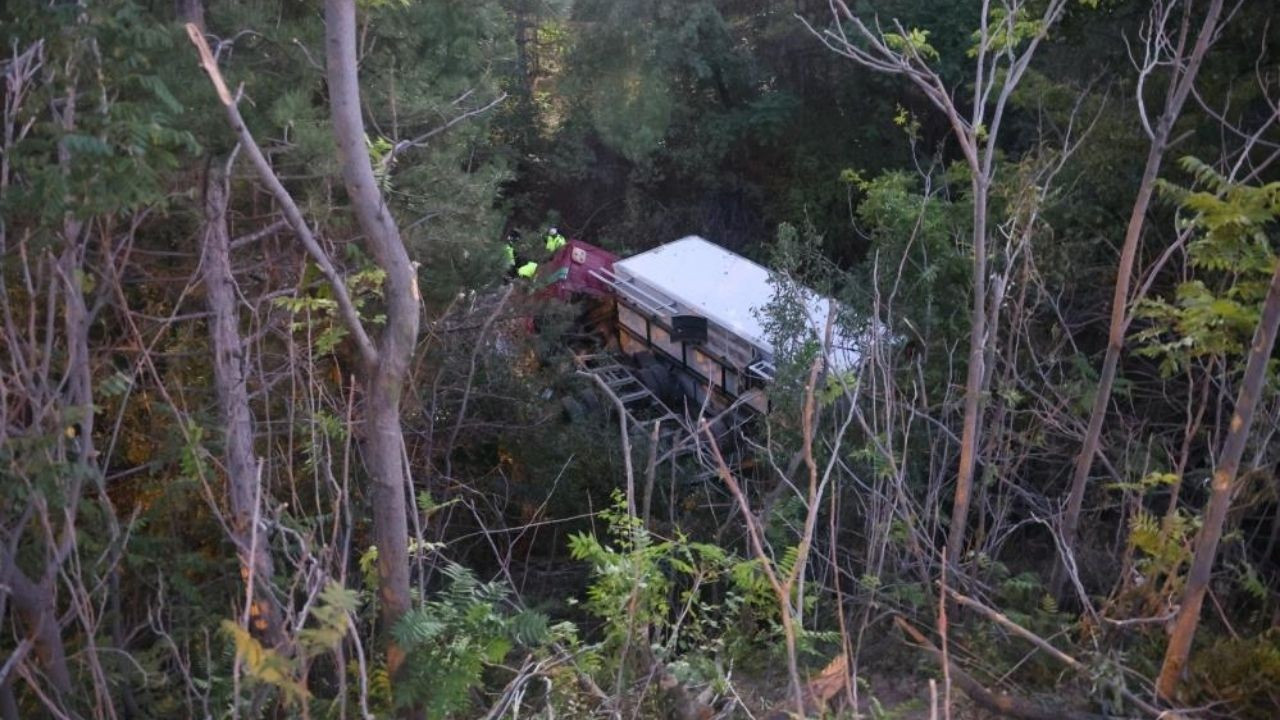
1223	490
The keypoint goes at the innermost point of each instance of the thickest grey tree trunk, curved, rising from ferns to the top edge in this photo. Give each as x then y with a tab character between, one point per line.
385	376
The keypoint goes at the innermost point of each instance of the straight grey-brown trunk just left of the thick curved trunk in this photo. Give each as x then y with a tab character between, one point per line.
244	482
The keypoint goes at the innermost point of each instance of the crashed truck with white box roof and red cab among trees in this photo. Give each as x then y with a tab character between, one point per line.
687	321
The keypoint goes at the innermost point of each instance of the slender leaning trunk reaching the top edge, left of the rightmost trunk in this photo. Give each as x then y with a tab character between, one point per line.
1180	90
